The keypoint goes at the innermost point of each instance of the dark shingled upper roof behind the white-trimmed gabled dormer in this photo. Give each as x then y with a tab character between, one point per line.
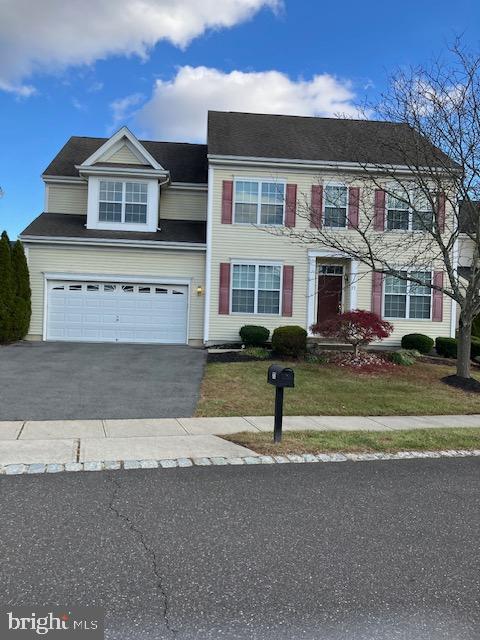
186	162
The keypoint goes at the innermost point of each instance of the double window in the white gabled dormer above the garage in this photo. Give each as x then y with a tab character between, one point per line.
123	202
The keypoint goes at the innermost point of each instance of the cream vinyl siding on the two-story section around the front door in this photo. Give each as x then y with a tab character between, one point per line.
232	243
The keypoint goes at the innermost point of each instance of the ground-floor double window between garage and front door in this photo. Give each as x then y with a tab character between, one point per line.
256	288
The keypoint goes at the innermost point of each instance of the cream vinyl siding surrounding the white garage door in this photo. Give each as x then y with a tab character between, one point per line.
106	261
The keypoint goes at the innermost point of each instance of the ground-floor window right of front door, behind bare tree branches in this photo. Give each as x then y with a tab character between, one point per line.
403	299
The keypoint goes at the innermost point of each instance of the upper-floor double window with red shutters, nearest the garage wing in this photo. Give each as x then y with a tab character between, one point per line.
258	202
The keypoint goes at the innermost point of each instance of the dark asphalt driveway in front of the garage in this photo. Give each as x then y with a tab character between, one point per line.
73	381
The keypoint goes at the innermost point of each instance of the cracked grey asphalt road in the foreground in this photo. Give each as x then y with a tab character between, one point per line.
382	550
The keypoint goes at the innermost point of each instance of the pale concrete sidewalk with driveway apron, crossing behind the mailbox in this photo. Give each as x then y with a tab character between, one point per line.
74	441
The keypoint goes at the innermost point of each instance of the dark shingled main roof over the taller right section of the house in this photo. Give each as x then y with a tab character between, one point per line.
318	139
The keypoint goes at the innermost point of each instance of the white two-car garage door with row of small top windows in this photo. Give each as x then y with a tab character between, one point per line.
117	312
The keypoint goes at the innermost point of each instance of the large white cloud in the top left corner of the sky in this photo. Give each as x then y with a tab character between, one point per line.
53	34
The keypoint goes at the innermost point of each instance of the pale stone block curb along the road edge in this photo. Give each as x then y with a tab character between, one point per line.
114	465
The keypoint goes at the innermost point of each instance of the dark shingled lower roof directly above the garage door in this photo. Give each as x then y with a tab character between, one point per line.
62	225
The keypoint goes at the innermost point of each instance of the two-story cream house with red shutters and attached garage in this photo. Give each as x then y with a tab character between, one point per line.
163	242
